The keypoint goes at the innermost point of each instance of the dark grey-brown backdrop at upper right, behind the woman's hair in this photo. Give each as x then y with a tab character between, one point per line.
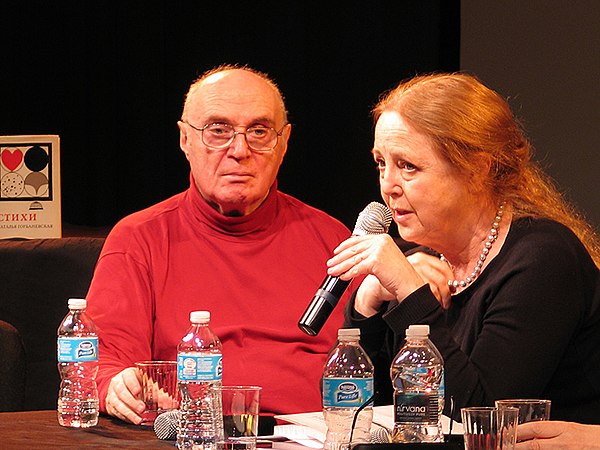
543	55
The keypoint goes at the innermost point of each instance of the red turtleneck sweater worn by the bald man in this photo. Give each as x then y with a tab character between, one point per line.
256	275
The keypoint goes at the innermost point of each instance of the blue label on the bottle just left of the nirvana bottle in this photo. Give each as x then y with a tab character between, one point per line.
346	392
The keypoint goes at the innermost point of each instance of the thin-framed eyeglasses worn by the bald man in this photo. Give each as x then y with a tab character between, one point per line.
219	136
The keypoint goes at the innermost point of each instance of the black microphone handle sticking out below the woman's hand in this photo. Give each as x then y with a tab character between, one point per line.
322	304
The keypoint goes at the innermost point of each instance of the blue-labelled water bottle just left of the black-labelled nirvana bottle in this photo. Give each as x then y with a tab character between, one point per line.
347	385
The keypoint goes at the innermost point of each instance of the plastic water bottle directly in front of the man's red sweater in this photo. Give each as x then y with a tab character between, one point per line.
199	371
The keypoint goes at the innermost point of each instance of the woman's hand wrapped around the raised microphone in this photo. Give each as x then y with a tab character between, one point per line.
379	256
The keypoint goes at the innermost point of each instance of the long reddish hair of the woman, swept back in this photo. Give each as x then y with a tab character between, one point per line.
470	123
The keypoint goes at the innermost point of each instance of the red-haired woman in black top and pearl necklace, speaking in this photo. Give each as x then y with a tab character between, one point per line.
507	278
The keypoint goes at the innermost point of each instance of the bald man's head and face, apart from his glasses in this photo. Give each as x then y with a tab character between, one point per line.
234	180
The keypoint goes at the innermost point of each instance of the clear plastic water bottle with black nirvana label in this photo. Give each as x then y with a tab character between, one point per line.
417	377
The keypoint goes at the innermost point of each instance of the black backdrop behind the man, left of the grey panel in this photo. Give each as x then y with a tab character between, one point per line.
109	77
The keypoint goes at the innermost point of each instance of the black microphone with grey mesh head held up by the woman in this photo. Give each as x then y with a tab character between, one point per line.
374	219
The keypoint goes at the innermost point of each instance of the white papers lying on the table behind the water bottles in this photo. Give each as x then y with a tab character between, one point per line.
314	425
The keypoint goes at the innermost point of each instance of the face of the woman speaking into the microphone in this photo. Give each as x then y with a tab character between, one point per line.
427	195
